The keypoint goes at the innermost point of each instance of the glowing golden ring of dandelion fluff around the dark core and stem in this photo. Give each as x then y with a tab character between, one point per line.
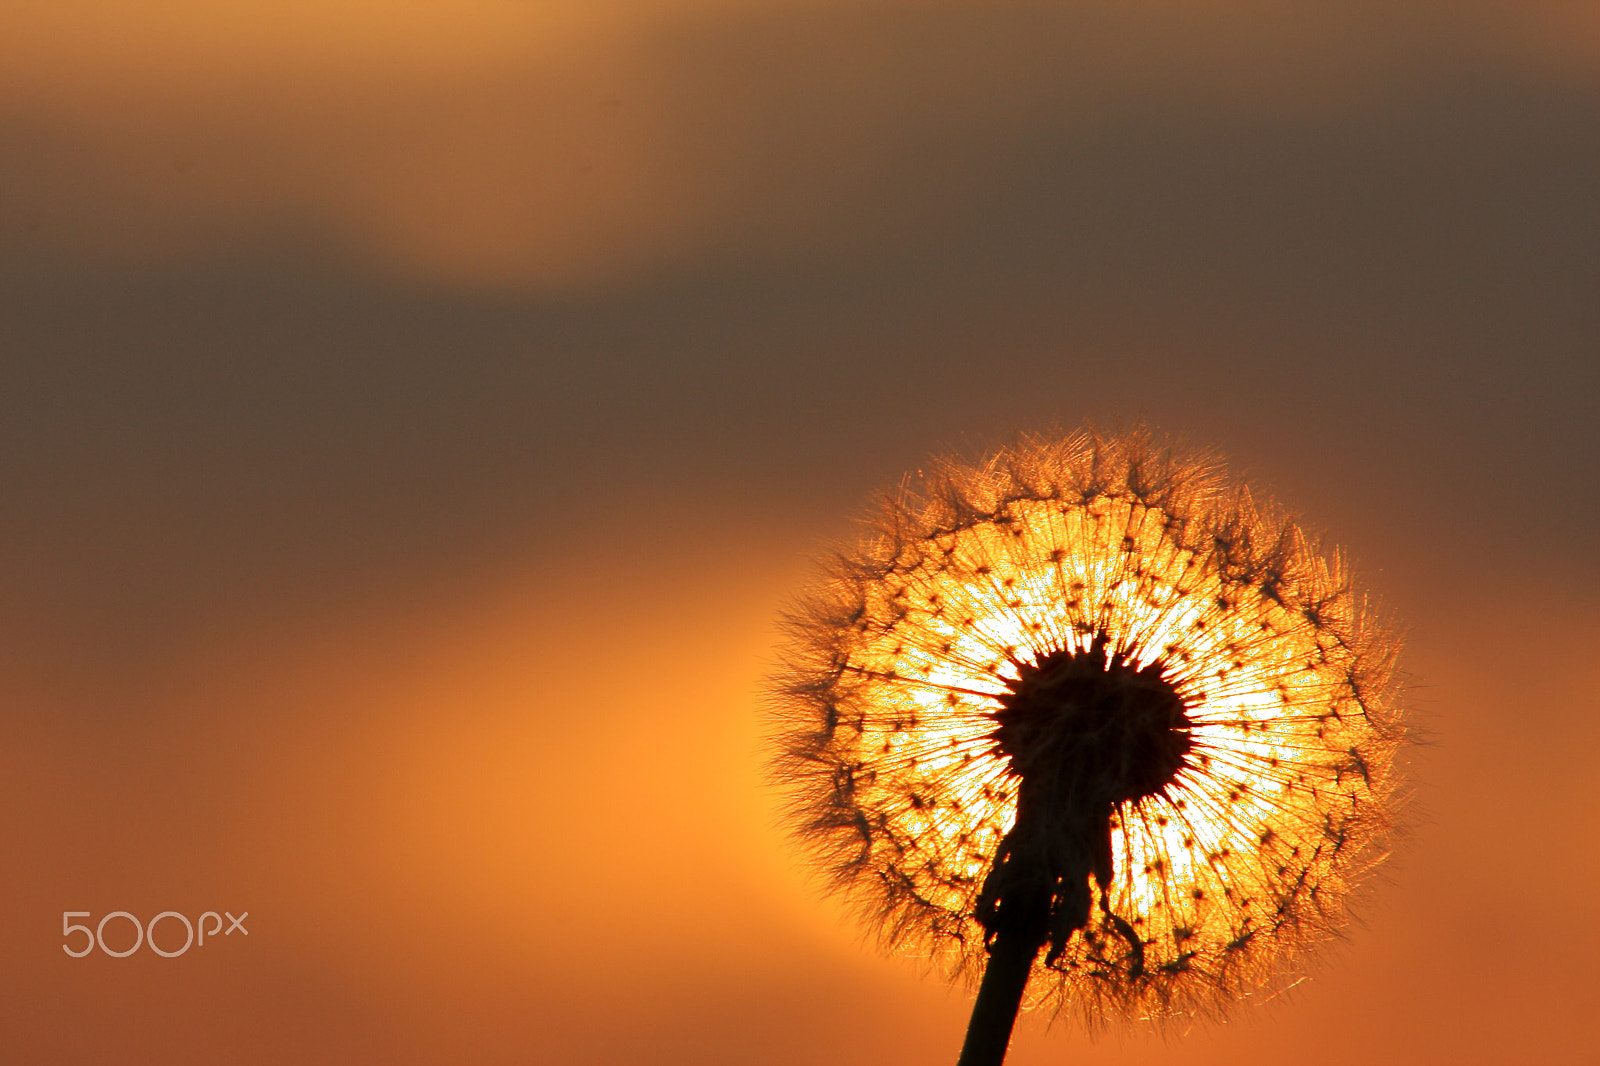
1215	876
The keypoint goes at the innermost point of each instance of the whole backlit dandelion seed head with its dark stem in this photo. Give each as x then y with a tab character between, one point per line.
1095	726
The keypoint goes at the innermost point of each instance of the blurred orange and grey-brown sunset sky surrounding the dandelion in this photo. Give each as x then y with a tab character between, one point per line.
415	417
